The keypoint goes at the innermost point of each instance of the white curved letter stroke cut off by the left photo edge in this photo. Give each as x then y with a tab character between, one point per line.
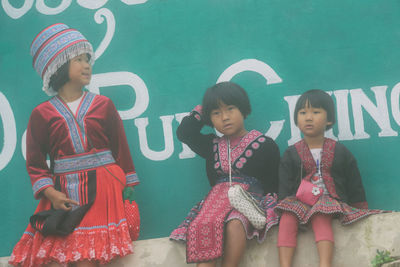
10	132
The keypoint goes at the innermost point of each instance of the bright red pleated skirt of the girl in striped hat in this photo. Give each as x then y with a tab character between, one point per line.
101	236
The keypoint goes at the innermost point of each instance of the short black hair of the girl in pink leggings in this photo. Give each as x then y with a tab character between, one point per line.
317	99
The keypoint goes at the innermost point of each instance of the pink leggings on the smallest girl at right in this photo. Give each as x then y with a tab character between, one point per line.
287	235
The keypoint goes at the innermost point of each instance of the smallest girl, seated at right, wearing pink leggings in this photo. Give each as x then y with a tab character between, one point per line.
333	173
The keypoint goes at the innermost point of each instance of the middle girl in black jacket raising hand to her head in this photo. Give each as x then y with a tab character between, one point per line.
213	228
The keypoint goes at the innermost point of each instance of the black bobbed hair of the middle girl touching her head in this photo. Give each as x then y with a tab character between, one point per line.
230	94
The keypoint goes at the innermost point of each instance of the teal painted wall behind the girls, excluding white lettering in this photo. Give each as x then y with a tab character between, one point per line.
180	48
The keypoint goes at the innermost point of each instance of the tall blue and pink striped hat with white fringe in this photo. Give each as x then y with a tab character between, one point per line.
55	46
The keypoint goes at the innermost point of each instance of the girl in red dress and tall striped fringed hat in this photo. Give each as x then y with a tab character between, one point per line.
80	217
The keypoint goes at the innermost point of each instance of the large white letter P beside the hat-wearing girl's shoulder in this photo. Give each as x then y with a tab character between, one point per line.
123	78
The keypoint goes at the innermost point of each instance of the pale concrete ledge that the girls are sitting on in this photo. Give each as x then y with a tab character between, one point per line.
355	245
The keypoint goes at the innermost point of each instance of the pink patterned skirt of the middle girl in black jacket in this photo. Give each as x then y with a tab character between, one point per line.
203	228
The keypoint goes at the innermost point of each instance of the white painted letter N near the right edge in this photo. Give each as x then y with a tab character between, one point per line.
379	112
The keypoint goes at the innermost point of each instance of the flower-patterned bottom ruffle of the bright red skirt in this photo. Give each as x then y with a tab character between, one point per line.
109	244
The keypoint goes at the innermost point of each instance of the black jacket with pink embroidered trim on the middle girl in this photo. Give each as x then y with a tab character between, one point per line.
260	159
